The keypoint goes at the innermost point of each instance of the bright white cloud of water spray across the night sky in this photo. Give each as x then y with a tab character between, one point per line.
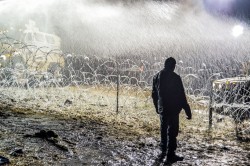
107	28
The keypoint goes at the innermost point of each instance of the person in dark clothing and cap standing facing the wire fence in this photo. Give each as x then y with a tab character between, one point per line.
169	99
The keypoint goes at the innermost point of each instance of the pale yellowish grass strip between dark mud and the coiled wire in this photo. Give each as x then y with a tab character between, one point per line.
136	116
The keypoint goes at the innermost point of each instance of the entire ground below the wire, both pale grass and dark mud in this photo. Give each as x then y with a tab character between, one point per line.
87	130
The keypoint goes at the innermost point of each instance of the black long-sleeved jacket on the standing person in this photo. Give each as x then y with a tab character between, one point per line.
168	94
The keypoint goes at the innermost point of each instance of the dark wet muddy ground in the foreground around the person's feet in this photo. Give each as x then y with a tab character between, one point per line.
88	142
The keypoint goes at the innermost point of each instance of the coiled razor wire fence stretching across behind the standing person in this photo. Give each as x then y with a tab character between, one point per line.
43	79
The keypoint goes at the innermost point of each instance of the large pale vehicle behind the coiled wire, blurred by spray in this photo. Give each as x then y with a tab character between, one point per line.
37	55
